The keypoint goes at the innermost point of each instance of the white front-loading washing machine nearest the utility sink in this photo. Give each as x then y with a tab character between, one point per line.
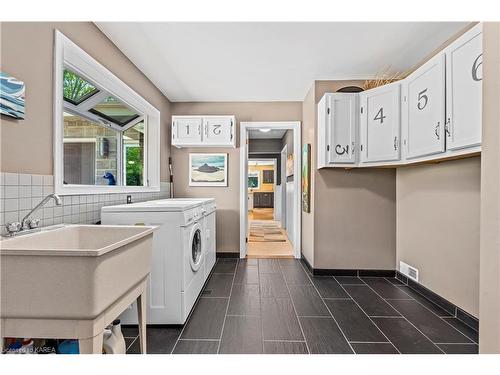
178	270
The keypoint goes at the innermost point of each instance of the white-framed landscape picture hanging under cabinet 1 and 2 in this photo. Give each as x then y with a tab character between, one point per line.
207	169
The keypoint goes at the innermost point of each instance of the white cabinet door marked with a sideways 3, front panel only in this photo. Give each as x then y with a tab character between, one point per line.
342	128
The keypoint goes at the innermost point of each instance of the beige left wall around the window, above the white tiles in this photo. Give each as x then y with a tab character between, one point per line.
27	54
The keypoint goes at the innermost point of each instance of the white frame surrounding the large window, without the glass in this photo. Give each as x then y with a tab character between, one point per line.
68	54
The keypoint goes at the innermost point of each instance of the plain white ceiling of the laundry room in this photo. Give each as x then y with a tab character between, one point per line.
269	61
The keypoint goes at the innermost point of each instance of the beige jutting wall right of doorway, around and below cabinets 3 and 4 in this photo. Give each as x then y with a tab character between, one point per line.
352	224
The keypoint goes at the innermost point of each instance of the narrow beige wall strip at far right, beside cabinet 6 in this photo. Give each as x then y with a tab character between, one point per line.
489	296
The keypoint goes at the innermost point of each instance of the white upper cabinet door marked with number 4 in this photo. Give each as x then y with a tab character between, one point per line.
380	124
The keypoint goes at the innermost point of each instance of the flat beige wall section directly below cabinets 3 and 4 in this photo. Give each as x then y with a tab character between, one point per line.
355	219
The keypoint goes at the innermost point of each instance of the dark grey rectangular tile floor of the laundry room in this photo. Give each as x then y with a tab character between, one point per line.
276	306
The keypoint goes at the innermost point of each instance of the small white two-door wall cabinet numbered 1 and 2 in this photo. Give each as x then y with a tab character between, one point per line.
203	131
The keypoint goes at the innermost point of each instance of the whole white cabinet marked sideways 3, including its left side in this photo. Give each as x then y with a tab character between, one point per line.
337	128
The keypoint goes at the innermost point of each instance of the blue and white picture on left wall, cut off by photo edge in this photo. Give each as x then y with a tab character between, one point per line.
11	96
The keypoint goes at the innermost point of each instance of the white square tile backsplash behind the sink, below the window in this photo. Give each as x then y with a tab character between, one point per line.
21	192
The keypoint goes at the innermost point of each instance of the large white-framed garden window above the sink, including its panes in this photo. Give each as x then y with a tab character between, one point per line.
106	136
